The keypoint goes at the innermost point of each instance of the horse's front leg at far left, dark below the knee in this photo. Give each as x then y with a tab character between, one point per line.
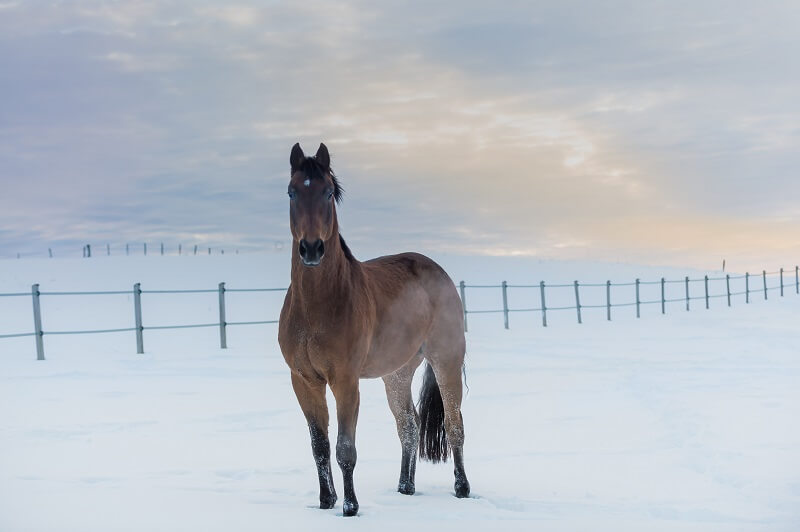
311	396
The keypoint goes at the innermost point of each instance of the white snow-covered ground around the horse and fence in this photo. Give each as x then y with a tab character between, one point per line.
687	421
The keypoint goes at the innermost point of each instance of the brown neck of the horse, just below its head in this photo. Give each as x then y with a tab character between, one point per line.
331	280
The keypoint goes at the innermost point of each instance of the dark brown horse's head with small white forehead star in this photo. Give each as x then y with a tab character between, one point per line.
313	194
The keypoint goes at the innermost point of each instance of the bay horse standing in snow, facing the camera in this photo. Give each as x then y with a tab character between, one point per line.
345	320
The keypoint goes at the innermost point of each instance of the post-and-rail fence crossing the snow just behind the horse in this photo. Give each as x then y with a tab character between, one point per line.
39	333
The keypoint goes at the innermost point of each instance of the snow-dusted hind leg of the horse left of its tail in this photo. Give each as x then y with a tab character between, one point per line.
398	392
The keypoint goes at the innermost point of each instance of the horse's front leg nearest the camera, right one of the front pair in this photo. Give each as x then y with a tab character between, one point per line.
347	401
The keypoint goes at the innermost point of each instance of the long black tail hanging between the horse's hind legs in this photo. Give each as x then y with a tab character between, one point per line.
432	437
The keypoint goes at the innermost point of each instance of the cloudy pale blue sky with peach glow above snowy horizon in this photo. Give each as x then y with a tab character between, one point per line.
651	132
